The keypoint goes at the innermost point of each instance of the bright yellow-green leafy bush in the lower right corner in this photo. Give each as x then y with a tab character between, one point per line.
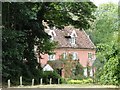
111	72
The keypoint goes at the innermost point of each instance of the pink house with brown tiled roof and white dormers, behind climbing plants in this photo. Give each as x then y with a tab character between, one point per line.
71	41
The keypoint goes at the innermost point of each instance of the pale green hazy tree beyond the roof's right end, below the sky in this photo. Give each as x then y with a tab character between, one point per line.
105	25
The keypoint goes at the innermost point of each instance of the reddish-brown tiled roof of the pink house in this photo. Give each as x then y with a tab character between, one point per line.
82	39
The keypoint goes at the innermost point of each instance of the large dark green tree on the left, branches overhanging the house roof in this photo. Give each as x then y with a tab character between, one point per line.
23	28
